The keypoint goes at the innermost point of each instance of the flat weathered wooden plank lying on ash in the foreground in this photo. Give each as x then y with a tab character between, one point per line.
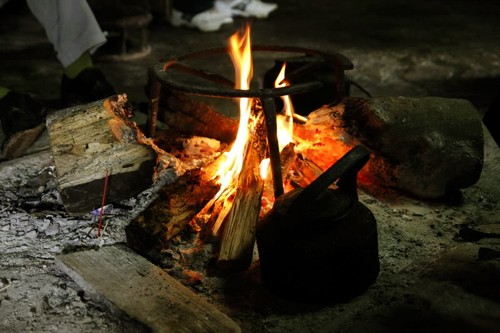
121	278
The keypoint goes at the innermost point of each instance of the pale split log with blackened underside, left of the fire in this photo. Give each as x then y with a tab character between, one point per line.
93	140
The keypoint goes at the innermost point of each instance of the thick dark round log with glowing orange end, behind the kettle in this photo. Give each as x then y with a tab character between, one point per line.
423	146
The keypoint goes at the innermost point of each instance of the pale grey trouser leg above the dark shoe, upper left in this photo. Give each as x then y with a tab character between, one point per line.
70	26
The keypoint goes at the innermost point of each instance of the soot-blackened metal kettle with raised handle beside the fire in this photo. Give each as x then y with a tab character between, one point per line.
320	244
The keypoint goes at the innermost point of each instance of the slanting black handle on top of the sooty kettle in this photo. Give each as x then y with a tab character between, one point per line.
345	170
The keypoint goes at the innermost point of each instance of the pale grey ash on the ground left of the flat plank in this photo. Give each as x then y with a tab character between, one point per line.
34	228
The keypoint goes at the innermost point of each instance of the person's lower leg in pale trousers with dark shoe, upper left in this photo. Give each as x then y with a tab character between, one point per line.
75	34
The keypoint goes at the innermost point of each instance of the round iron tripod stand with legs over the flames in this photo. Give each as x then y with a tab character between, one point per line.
174	73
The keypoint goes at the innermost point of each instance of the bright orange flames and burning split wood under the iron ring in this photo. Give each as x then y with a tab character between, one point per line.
260	163
